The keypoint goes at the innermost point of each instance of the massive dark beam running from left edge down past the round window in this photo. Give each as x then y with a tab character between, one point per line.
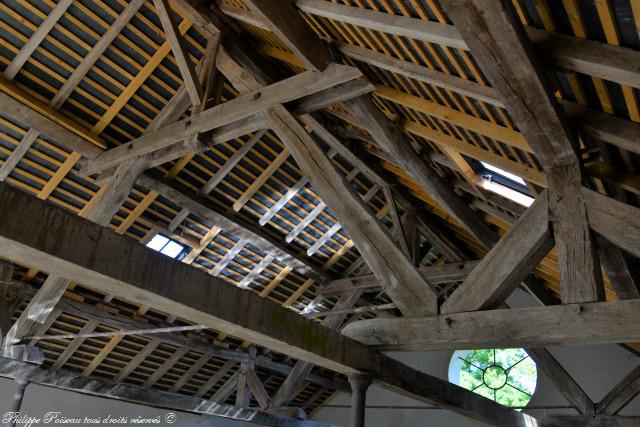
40	235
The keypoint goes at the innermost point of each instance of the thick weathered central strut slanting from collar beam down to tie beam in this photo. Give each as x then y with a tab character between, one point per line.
404	283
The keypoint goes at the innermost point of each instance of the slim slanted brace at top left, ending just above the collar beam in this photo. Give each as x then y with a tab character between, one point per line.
191	81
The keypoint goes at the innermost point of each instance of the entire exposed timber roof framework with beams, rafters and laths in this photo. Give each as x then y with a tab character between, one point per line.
318	156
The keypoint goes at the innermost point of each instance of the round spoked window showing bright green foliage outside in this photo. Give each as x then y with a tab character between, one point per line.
507	376
